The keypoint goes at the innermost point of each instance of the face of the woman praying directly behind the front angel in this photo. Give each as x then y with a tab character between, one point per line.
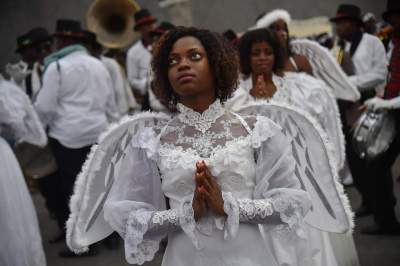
262	58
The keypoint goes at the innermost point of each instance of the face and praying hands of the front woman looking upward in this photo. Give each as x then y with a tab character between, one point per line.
192	80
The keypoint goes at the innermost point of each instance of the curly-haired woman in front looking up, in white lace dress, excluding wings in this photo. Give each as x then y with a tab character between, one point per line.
222	174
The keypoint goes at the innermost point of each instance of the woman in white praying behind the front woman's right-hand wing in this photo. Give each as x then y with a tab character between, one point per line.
262	62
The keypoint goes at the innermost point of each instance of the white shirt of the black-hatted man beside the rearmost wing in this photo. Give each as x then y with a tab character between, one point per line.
370	63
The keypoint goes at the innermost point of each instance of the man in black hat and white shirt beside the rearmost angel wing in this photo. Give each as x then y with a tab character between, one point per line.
368	73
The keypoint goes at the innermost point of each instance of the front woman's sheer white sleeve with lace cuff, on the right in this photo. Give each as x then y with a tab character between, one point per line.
278	199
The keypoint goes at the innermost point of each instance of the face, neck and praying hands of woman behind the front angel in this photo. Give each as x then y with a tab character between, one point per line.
262	60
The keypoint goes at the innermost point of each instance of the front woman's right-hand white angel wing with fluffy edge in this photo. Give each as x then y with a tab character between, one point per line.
314	166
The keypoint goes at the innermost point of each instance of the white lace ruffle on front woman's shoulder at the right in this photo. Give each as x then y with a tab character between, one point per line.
262	131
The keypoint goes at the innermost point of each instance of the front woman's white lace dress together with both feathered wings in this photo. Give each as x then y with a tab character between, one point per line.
150	157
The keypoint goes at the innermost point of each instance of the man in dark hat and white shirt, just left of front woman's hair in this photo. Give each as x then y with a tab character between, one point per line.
139	57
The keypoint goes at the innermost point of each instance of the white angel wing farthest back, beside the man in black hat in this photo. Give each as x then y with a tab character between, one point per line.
326	68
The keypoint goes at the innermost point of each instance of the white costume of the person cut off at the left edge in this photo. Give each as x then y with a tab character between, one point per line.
20	241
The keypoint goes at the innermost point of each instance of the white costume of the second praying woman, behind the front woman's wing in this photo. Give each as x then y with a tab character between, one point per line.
309	94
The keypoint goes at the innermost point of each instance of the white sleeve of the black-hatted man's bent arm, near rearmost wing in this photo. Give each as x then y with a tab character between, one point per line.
378	72
